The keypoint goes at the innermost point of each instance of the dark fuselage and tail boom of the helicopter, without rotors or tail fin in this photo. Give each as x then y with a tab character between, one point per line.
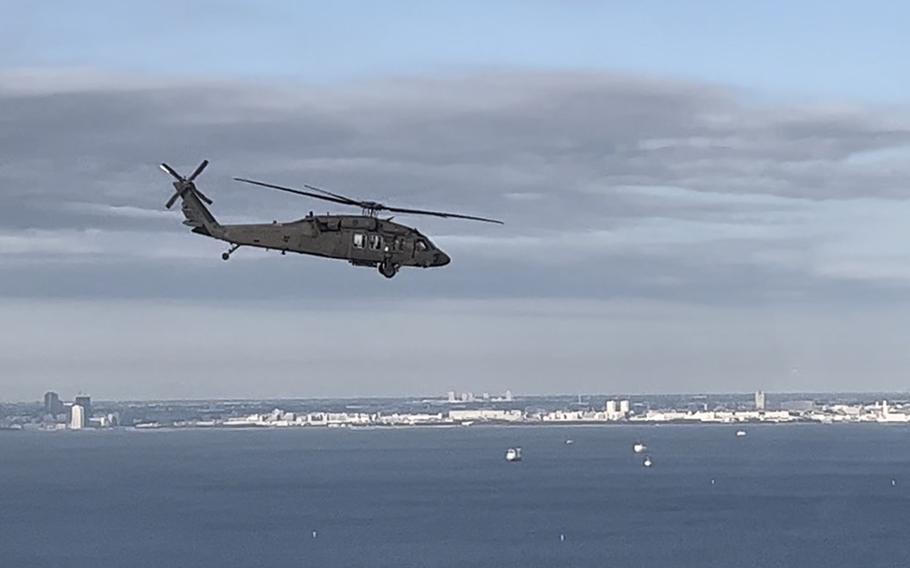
360	239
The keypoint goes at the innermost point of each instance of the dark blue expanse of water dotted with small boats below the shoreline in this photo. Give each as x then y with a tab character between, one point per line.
782	496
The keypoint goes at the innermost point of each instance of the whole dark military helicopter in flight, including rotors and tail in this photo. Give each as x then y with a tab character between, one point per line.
362	240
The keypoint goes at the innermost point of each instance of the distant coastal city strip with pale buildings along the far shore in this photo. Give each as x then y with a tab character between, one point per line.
824	408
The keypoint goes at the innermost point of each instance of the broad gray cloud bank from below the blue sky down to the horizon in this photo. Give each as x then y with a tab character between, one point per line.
660	235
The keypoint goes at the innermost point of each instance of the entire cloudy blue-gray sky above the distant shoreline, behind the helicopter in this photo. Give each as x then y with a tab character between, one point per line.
698	197
